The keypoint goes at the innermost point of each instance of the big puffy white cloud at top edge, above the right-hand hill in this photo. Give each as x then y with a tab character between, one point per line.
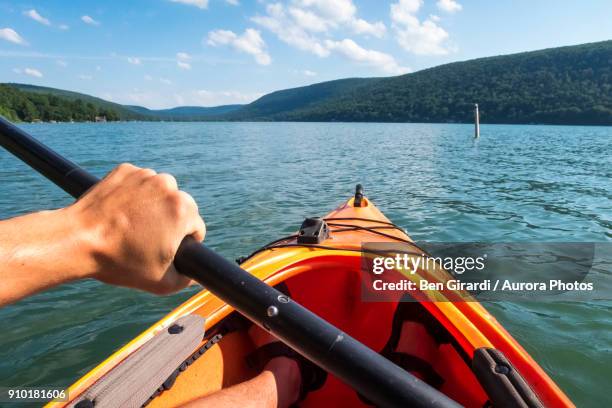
421	38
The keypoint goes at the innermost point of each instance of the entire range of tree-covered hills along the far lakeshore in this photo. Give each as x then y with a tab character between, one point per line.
566	85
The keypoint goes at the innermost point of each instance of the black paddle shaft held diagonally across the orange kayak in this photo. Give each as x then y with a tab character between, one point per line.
376	378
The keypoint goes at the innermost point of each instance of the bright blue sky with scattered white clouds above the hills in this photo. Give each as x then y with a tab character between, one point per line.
164	53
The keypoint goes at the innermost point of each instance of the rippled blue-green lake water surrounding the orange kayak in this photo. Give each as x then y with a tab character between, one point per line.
255	182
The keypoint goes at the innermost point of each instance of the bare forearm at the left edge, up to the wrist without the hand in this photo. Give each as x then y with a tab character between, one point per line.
42	250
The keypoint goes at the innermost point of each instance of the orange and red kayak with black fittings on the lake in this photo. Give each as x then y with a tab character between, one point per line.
202	346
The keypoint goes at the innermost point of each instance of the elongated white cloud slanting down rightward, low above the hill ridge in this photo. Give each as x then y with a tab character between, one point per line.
354	52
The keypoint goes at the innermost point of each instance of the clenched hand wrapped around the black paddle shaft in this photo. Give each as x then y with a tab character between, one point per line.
136	220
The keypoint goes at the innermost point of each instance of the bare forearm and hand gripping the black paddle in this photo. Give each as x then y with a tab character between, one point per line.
125	231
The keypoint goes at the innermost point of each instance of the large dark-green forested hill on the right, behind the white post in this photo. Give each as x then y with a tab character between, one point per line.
567	85
